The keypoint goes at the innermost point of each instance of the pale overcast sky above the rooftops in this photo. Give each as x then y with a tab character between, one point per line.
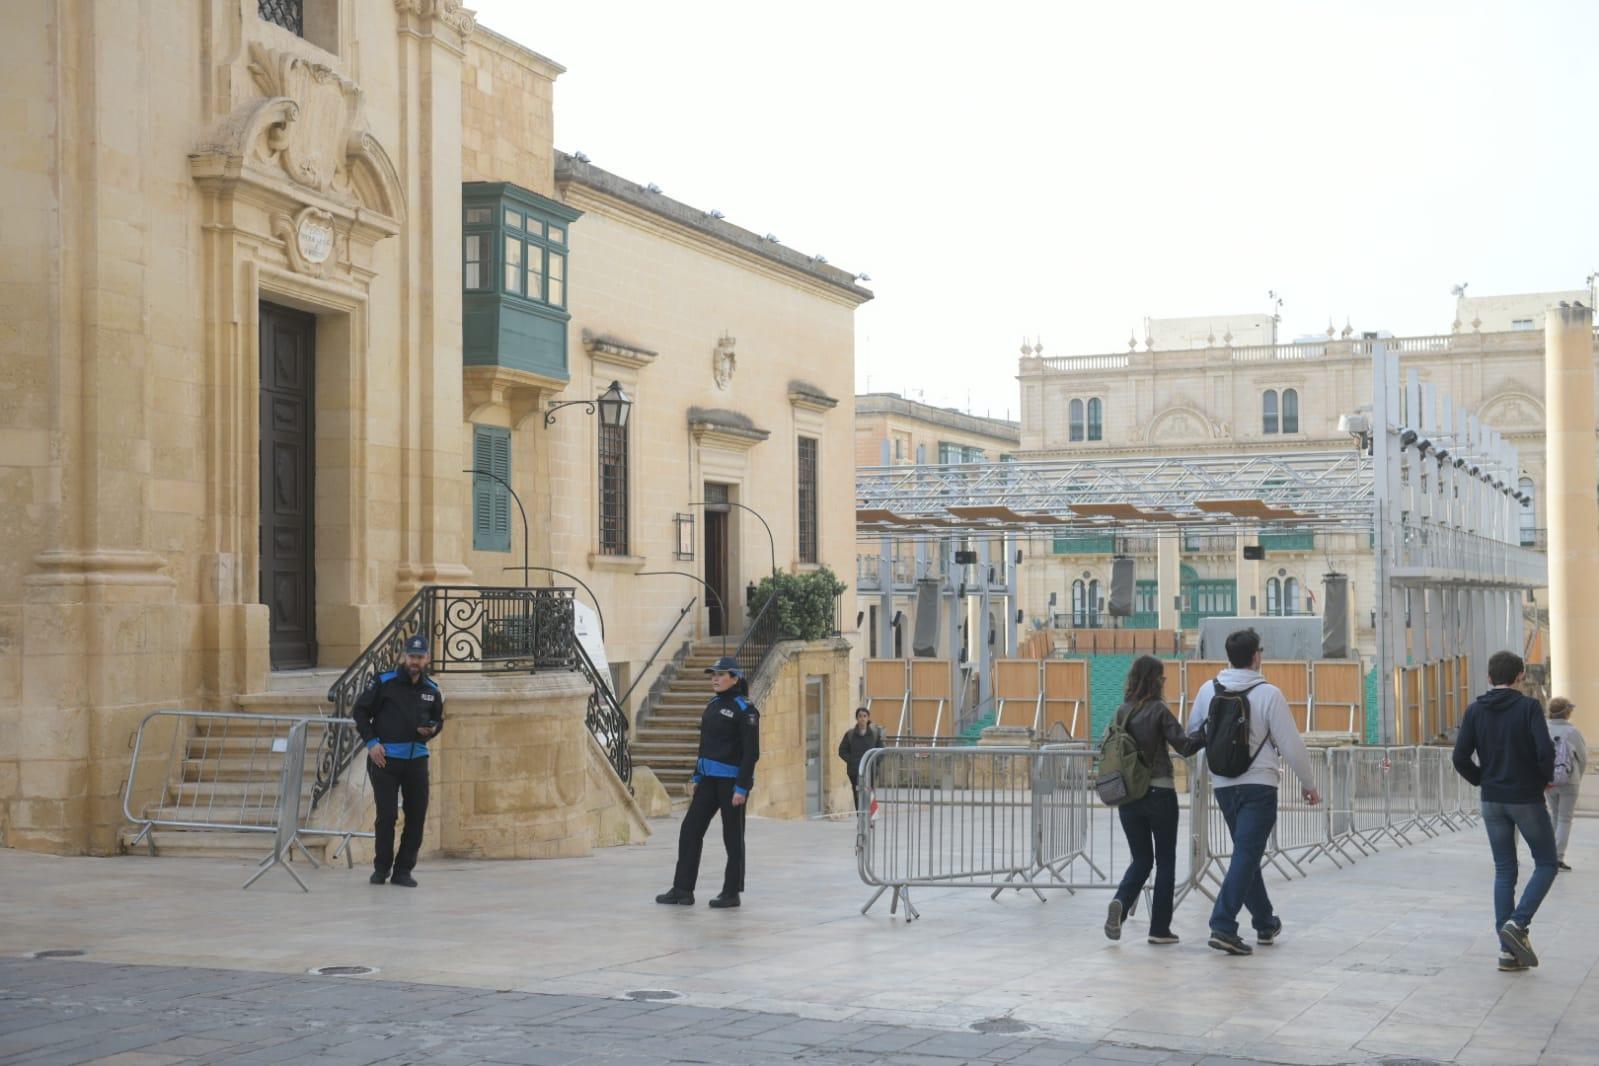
1063	170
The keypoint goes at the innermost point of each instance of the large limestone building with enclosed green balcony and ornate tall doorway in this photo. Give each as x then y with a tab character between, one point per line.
279	272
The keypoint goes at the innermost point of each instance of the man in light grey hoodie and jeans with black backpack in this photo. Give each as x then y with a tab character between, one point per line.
1250	801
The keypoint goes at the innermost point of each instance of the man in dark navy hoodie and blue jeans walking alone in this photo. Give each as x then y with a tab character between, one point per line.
1505	750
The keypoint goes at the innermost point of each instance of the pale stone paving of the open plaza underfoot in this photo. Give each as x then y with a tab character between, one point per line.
533	963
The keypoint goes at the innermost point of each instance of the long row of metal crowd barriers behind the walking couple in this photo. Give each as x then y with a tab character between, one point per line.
1027	819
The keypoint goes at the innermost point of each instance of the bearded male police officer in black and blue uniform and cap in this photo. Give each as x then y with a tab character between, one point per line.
397	715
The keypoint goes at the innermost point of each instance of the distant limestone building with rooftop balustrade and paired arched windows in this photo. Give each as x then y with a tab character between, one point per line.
1221	396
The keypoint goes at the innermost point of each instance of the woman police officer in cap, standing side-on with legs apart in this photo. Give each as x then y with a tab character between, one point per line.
724	778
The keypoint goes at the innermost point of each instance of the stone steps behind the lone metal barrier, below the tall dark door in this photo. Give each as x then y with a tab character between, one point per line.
228	773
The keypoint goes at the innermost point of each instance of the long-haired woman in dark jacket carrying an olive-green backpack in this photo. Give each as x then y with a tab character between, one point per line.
1150	824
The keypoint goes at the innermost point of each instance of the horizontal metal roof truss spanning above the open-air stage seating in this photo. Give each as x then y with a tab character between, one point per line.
1325	490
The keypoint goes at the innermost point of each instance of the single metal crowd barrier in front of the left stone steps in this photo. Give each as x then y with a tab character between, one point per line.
242	774
